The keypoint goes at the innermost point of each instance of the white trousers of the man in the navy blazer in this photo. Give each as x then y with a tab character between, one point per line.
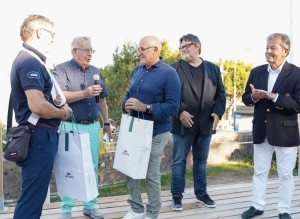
286	161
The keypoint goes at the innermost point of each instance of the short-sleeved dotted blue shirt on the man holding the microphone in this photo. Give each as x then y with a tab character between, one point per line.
72	77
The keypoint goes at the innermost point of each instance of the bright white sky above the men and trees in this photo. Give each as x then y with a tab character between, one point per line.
227	29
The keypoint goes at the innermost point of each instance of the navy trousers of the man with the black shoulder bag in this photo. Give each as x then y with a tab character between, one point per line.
36	173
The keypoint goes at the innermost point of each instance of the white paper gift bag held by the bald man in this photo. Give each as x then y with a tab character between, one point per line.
133	147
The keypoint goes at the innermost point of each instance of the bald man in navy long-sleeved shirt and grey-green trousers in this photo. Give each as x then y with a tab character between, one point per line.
154	90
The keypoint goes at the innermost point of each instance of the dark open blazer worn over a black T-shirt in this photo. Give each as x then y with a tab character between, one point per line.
213	98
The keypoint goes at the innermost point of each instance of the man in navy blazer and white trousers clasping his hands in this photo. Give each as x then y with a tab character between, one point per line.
274	91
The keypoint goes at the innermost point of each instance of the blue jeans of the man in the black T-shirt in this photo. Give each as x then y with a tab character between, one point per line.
181	148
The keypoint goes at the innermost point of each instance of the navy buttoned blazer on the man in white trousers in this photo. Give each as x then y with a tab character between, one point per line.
278	122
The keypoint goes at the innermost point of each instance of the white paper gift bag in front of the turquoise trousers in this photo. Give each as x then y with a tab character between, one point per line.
73	166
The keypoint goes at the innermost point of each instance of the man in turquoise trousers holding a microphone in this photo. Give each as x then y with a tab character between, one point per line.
85	91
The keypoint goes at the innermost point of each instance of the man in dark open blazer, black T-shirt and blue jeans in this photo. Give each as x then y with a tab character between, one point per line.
202	105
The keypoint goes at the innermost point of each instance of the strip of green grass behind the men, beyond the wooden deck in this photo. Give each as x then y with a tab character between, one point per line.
223	173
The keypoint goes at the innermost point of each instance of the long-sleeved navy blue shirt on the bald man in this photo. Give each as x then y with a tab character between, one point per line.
159	86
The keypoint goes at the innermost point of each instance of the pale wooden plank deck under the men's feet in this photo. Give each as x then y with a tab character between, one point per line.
231	199
